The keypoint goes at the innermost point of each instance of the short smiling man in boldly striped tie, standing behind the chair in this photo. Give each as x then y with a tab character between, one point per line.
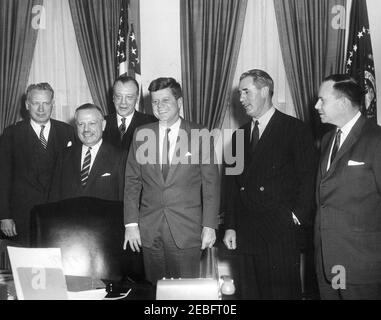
92	168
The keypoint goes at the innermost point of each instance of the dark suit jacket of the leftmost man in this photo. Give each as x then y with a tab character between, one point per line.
23	182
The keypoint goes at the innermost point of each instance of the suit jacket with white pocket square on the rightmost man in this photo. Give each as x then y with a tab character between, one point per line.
348	220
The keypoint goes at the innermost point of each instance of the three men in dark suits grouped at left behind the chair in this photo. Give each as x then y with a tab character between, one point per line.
42	159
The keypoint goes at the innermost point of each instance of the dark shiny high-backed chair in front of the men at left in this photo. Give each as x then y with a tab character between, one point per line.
90	233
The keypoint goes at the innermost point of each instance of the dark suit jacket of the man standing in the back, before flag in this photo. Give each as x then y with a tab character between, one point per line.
112	133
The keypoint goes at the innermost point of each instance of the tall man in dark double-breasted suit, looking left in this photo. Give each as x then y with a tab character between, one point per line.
271	197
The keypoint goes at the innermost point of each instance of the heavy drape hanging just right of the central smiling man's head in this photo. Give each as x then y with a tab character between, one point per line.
211	34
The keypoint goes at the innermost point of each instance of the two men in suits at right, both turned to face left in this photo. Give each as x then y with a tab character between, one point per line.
273	197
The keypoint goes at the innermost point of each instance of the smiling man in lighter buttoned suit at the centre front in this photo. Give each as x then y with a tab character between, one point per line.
171	203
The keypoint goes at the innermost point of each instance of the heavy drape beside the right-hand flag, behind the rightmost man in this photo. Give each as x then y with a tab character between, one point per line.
312	37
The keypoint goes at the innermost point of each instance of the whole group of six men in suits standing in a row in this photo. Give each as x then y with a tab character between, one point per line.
171	204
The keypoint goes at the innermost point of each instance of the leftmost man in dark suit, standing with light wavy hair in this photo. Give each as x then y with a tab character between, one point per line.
28	152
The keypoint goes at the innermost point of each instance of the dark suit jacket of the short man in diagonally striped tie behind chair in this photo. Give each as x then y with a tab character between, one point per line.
106	178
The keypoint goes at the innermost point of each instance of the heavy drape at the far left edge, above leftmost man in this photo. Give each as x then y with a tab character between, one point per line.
17	42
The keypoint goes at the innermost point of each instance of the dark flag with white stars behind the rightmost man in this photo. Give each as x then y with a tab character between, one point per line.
360	63
